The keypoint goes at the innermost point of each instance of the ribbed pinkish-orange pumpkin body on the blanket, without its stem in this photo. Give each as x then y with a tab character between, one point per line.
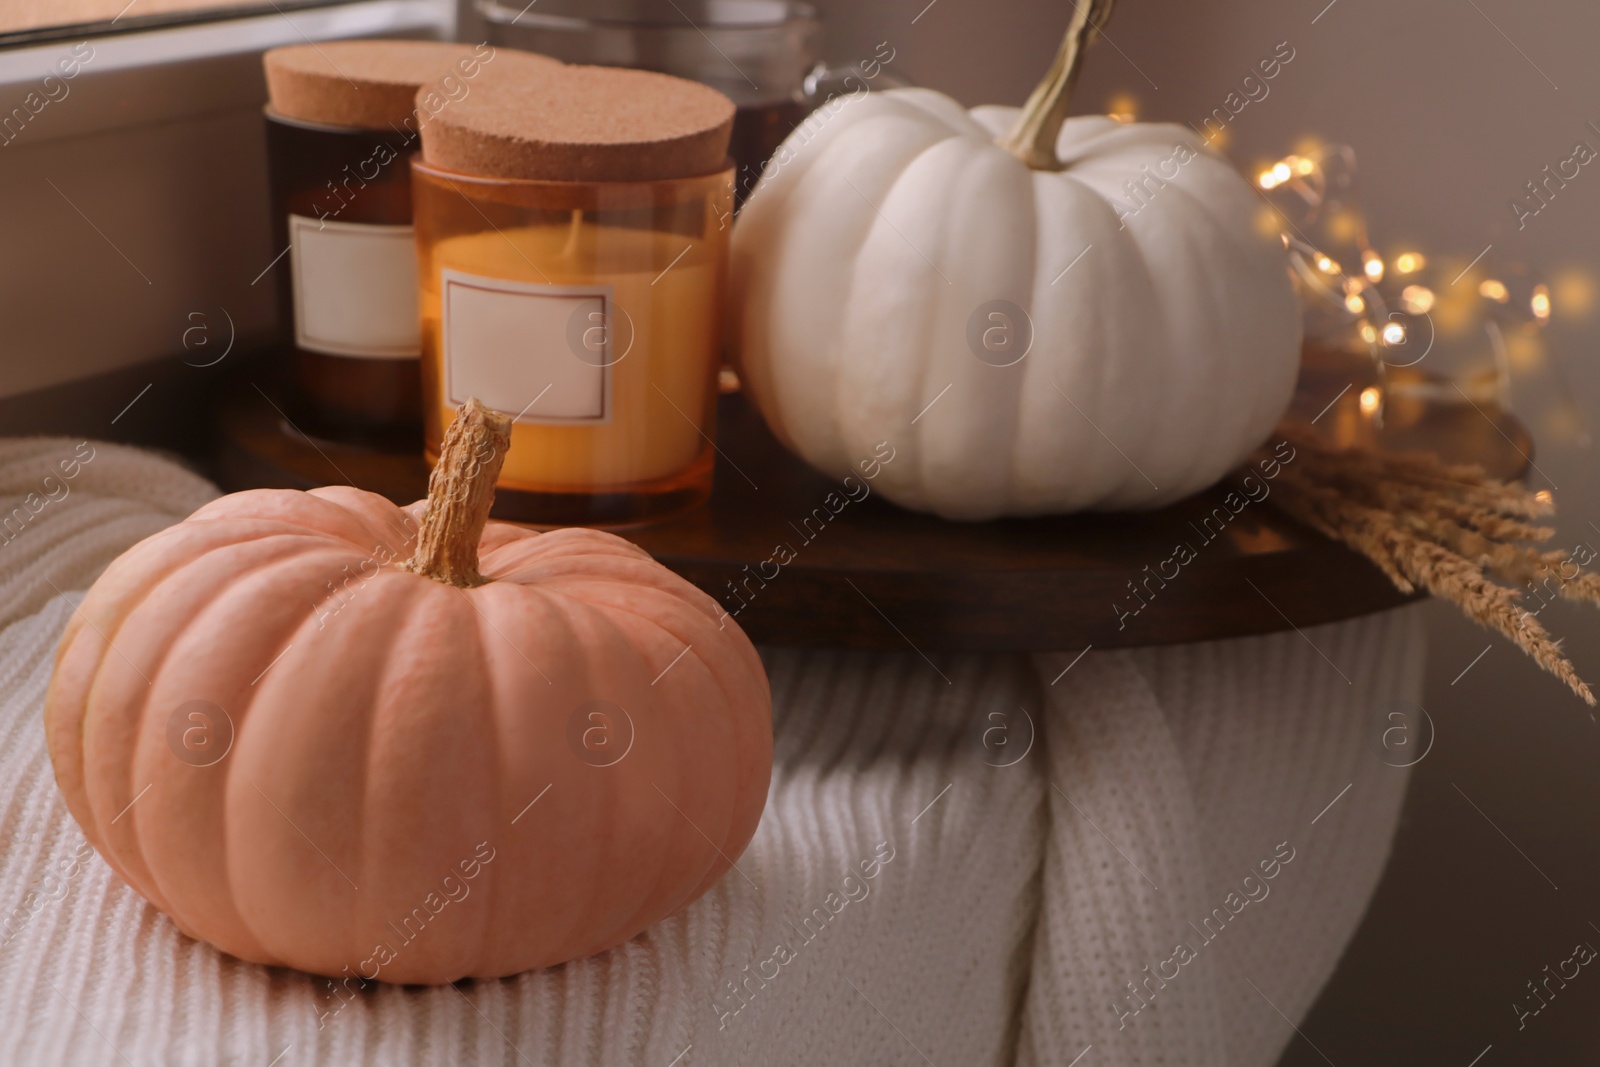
388	740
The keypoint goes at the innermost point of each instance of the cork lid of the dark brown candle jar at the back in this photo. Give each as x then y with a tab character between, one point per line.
374	84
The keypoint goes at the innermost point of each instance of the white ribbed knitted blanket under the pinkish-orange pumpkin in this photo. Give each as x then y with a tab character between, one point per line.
1166	874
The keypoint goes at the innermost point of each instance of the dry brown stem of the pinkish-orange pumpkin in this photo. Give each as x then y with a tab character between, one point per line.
460	494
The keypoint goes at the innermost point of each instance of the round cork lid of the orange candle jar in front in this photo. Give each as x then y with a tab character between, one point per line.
583	124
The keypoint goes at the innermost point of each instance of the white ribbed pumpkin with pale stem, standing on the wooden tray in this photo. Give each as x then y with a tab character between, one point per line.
879	270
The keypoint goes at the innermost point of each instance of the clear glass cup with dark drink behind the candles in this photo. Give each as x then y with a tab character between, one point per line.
766	55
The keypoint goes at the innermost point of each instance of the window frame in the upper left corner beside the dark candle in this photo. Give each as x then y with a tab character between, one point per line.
158	159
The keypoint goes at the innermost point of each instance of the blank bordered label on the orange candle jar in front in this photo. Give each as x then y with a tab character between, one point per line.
537	353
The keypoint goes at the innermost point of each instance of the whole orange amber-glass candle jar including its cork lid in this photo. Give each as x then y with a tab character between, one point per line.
586	308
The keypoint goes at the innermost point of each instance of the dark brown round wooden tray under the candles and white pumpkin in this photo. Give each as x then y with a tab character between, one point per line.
882	578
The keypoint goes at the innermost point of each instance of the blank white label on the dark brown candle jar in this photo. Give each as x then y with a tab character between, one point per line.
354	289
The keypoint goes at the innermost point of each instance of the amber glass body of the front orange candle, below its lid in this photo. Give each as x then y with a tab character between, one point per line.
591	313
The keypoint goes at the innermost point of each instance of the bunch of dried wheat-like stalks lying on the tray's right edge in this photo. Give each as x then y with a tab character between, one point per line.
1438	527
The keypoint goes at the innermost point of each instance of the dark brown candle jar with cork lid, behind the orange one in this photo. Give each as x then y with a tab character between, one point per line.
343	126
